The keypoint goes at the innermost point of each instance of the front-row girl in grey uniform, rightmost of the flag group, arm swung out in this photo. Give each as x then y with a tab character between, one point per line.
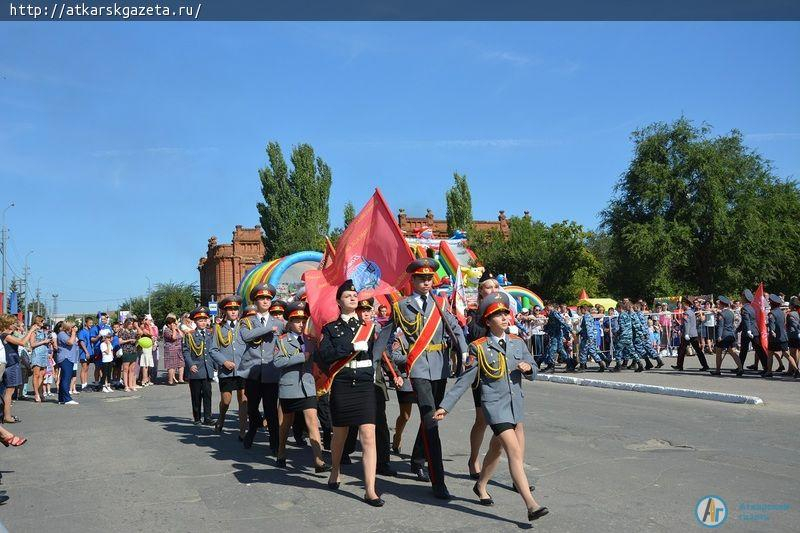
498	364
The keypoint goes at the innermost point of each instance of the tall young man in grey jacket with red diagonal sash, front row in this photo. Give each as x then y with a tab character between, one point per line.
428	330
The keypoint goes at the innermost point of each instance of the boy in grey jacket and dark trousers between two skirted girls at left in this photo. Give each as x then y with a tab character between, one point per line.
258	369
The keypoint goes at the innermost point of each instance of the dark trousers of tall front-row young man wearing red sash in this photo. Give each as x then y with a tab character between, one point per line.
427	444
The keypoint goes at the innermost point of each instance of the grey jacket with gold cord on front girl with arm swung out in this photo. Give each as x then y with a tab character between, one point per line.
501	399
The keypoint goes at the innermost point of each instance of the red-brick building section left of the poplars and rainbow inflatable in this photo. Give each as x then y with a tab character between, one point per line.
225	264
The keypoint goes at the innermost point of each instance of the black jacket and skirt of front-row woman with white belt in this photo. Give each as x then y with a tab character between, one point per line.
352	396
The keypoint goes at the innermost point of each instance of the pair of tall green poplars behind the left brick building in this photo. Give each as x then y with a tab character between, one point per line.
294	213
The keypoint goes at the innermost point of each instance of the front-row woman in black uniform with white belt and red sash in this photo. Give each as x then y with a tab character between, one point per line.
349	350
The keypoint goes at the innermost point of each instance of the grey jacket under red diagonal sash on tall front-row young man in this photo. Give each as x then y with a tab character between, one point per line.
431	364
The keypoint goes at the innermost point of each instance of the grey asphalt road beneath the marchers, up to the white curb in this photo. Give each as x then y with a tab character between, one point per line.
602	460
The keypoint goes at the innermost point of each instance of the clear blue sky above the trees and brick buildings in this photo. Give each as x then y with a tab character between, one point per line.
126	145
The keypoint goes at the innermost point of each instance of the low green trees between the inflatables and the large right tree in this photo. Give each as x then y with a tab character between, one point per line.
554	261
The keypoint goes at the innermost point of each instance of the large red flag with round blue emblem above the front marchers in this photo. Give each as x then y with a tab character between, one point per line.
372	252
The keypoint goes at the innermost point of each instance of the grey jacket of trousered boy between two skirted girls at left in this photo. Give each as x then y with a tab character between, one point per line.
258	362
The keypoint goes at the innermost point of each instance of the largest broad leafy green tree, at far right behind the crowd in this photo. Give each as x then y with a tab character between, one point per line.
700	214
